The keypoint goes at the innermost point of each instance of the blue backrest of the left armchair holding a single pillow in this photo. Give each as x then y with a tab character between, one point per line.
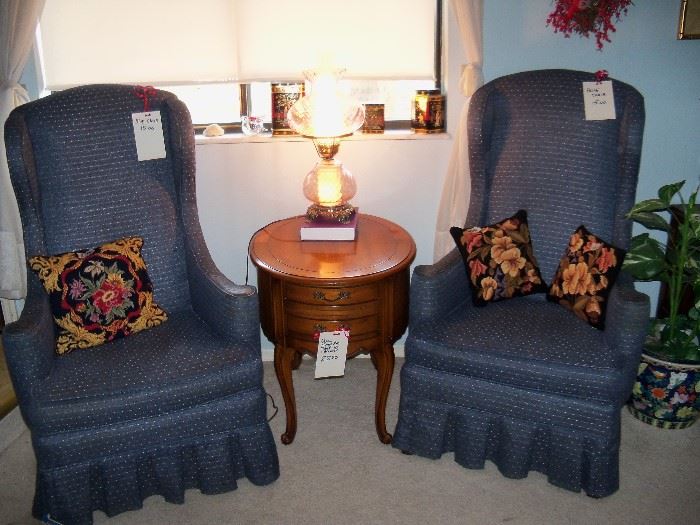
79	182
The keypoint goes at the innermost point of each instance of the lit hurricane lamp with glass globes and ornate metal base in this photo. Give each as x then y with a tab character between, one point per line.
325	115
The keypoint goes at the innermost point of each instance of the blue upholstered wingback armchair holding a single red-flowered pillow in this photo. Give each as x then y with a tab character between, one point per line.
176	406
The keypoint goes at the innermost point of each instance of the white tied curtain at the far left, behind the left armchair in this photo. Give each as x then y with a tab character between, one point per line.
18	19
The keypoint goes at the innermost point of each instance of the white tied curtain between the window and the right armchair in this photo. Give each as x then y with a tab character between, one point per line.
454	202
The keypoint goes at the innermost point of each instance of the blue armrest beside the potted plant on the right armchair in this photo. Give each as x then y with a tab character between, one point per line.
627	322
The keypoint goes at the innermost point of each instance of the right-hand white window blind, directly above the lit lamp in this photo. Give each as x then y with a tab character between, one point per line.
371	39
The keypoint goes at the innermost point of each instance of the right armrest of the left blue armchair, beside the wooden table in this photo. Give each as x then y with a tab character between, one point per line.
230	309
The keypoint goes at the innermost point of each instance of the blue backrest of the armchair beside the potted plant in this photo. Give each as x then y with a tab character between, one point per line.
531	148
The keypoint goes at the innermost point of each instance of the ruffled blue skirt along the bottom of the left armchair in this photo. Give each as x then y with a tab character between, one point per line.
114	468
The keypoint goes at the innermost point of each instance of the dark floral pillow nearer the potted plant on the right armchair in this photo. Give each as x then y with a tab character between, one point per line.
586	273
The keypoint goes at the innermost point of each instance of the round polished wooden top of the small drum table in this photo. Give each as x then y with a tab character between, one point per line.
380	246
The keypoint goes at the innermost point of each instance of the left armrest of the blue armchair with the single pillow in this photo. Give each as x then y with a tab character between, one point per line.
29	343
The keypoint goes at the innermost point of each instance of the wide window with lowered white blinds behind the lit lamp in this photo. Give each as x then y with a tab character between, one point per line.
210	53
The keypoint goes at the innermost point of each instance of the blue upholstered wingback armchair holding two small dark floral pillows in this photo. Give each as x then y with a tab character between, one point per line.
523	382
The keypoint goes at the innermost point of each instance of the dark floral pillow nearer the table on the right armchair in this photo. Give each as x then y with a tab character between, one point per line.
499	260
